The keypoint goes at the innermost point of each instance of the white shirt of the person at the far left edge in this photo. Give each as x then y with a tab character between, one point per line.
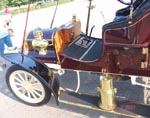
3	29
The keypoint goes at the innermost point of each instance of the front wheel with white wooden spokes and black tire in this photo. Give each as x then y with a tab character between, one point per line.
27	87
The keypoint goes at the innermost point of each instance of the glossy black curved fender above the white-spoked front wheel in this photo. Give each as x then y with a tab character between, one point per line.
32	65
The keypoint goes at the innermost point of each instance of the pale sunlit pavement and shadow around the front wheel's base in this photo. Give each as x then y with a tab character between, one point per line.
12	108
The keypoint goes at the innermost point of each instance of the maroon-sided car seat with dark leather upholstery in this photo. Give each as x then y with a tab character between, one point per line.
121	32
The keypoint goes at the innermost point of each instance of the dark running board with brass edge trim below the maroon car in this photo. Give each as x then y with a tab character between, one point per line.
124	108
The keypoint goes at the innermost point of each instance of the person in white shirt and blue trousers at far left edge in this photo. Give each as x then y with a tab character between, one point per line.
4	39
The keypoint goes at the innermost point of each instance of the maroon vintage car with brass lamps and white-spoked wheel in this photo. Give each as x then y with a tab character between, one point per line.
122	53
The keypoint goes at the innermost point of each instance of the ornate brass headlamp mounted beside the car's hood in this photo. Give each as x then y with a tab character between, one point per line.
38	42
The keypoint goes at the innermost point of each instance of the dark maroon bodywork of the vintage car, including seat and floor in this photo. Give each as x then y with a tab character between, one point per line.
119	51
